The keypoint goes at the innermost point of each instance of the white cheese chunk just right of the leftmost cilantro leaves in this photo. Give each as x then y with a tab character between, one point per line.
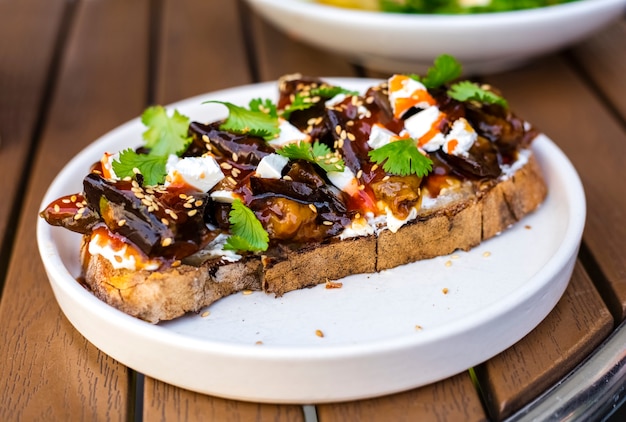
201	173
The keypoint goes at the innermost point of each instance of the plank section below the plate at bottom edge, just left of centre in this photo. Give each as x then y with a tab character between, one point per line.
163	402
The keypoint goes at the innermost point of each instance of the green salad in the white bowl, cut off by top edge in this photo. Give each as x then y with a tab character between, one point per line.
443	6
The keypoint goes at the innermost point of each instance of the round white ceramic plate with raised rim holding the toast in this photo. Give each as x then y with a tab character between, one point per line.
382	333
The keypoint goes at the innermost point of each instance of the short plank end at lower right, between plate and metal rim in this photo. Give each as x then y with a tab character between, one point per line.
576	326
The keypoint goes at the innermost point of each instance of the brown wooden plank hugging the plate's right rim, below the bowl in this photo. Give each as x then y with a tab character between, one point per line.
551	96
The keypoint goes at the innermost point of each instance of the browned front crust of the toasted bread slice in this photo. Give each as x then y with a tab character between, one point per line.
162	295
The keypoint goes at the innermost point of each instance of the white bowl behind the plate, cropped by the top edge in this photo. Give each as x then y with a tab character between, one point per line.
409	42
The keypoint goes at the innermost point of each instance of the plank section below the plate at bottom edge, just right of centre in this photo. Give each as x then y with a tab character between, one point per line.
454	399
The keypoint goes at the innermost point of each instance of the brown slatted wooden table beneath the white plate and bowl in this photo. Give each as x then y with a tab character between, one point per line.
72	70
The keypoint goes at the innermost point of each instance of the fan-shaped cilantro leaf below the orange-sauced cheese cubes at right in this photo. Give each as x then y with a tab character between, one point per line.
401	158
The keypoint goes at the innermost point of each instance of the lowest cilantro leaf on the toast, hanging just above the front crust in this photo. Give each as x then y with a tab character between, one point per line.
247	232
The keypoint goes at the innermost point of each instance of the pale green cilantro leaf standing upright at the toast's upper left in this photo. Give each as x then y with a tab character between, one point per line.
165	135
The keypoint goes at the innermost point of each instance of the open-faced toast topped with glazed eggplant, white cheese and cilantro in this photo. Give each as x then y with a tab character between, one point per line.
318	185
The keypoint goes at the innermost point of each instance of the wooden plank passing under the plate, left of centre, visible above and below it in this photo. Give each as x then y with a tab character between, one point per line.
201	49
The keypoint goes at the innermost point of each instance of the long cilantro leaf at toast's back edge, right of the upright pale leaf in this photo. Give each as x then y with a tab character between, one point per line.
243	121
